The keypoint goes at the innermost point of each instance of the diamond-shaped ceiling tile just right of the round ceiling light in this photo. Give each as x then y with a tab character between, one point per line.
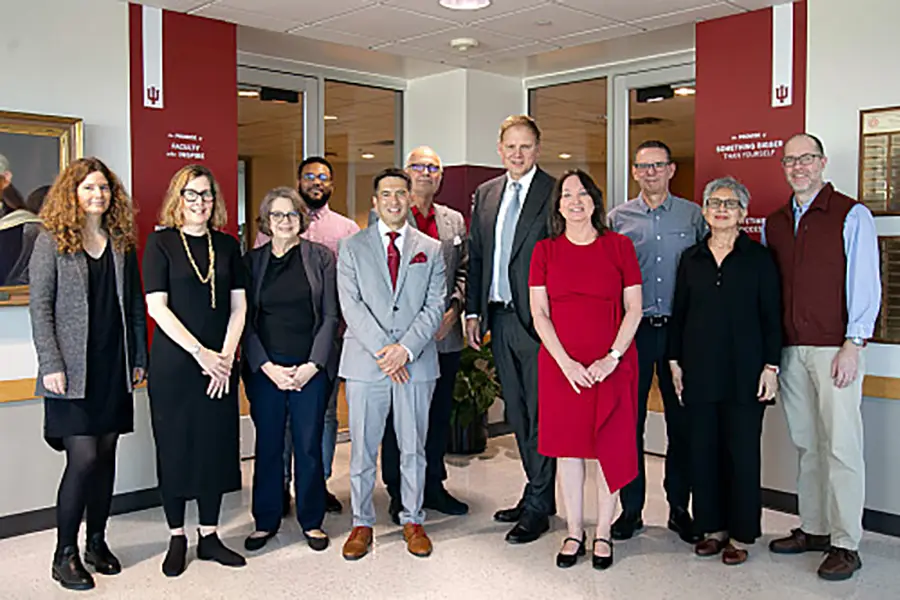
544	22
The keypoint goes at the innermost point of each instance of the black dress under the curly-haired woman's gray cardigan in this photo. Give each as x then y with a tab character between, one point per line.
107	406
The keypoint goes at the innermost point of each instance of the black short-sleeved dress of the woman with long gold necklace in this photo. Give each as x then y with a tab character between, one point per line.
197	437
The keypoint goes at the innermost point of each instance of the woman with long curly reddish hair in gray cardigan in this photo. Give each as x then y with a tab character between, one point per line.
87	316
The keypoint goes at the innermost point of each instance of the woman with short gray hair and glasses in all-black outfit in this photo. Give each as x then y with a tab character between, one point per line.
724	350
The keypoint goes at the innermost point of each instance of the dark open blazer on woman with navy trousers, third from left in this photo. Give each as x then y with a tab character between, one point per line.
318	262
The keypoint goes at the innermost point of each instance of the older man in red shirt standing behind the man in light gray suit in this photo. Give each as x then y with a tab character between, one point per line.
448	226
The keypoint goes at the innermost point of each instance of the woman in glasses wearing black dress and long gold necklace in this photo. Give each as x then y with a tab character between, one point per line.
195	283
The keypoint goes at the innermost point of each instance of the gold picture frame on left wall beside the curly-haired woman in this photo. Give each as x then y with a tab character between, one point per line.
43	161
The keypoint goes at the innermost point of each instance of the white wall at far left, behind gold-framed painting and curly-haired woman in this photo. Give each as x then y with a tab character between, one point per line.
52	65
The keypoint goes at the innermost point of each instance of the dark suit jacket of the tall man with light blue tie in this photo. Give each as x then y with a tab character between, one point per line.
531	228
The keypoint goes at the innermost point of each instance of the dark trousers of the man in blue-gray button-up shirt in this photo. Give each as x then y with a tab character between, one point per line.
651	347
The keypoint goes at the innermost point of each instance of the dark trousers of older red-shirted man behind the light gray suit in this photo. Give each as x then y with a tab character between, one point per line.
438	432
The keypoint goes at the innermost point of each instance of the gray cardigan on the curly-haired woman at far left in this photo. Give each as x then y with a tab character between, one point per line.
59	314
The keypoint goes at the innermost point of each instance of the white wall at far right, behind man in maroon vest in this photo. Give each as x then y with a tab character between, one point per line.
850	67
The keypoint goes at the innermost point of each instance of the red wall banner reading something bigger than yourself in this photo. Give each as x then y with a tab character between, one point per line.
751	97
